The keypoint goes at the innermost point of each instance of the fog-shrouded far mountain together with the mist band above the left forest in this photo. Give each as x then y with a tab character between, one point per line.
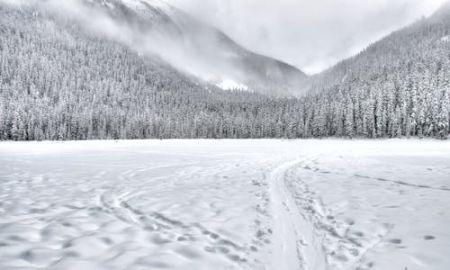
157	29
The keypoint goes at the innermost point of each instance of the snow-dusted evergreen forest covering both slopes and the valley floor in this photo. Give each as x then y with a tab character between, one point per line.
59	83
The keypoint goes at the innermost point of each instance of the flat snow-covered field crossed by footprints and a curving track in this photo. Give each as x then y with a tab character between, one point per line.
267	204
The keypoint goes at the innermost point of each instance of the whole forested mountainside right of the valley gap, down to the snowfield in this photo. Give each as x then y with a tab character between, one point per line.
398	86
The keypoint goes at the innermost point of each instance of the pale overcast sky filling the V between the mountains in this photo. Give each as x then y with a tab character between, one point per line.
310	34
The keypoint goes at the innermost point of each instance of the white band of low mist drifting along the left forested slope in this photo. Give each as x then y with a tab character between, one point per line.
175	49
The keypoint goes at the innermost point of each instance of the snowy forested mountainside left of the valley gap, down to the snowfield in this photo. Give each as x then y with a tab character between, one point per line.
63	80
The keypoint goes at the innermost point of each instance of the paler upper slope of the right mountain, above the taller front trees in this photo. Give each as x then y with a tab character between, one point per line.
420	47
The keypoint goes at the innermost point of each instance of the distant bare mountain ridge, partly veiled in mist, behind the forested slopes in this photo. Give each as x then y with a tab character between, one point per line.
201	50
